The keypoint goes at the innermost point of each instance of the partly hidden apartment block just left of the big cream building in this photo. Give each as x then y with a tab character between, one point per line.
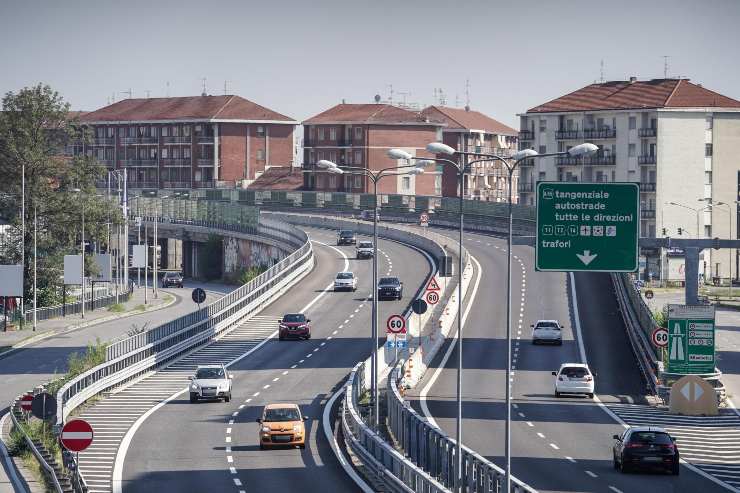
472	131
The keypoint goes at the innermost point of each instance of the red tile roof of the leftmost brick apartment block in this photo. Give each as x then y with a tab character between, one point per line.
186	108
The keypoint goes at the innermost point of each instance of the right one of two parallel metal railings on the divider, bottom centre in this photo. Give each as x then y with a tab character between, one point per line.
433	451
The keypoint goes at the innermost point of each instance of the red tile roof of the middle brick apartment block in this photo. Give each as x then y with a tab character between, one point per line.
368	114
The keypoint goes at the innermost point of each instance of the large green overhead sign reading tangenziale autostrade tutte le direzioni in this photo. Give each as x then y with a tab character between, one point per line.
587	226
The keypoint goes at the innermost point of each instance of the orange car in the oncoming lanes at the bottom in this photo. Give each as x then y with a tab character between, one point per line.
282	424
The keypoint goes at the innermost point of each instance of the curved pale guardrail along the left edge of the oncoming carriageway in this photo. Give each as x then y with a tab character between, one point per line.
146	352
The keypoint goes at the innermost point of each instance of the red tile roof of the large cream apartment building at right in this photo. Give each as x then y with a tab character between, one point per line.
656	93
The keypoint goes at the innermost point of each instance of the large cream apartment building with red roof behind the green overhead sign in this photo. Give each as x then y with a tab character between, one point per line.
677	139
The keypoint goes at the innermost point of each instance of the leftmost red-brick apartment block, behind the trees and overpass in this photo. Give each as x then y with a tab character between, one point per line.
190	142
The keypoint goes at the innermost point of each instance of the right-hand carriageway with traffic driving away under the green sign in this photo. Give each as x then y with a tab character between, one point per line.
558	444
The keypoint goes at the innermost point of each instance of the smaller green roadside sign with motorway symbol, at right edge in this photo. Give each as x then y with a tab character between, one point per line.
690	339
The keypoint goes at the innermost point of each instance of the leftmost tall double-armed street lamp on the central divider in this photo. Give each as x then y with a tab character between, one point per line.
375	177
